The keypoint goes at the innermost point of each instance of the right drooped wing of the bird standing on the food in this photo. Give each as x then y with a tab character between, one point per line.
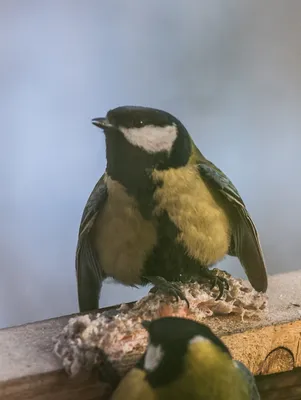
245	240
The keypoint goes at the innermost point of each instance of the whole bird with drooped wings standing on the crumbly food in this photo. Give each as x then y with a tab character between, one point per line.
161	213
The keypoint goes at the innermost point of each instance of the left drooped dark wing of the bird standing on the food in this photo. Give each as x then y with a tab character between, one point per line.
88	271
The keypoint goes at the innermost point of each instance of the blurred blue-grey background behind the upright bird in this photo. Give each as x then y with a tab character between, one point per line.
229	69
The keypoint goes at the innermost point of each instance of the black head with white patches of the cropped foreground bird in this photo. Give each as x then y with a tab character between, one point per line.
169	339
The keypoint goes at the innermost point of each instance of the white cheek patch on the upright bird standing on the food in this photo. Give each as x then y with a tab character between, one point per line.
151	138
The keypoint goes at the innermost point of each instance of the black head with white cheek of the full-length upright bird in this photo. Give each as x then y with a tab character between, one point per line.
145	137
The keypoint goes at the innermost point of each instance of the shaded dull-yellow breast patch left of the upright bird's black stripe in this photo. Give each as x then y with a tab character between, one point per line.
123	238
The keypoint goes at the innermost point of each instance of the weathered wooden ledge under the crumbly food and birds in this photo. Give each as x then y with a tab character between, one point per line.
30	370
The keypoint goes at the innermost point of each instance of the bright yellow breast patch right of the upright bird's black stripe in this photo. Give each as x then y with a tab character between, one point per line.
203	225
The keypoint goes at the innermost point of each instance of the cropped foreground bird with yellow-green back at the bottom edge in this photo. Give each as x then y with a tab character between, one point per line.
185	360
